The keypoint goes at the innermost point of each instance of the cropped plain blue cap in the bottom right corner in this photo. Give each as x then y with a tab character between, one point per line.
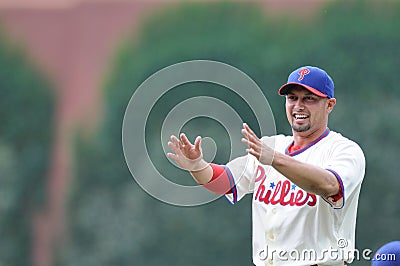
387	255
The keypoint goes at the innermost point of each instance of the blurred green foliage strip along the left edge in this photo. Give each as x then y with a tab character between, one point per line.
26	113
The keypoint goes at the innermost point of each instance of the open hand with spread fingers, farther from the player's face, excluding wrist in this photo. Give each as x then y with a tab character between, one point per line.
187	155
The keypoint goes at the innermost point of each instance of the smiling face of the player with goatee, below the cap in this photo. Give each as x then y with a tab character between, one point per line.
307	112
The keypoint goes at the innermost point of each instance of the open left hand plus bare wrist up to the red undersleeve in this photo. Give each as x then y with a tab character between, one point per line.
189	157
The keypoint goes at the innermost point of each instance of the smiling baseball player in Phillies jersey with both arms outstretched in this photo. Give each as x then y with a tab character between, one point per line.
305	187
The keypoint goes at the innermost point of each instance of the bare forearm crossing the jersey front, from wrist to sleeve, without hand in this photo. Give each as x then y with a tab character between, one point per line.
311	178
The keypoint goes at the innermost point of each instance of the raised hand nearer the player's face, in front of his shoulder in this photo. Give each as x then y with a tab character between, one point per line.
256	146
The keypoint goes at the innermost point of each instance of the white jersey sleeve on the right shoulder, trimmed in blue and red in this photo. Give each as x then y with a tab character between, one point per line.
347	163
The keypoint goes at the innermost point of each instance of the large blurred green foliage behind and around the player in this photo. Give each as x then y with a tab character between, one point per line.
114	222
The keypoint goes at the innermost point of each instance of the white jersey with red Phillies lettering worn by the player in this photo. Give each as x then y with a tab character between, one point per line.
291	226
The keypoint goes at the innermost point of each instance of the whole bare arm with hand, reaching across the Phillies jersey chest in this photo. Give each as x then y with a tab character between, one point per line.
311	178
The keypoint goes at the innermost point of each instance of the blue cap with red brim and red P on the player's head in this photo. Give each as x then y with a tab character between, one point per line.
312	79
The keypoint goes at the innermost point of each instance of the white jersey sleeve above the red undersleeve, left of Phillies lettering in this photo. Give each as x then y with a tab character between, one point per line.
242	171
